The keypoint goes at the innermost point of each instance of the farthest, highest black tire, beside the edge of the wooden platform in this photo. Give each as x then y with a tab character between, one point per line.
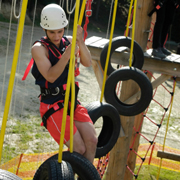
138	59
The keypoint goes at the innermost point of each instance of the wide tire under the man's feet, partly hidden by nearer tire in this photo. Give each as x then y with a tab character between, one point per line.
80	165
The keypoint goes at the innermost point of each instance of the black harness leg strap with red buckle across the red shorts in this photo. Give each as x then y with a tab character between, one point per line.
49	112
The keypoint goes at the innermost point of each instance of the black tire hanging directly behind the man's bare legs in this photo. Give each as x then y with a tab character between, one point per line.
110	128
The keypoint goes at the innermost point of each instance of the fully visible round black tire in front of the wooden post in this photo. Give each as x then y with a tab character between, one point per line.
124	74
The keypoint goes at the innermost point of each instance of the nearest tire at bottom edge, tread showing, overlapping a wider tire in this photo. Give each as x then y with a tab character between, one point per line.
52	170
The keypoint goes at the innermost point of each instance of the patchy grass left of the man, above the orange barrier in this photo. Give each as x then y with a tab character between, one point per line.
26	134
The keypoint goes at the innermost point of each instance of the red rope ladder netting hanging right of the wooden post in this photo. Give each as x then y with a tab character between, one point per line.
158	125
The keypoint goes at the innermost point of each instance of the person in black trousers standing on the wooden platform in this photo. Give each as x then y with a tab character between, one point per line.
165	10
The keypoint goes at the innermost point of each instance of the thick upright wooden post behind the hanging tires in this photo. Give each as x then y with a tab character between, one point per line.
118	156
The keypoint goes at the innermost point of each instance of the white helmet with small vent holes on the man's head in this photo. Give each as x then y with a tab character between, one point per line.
53	17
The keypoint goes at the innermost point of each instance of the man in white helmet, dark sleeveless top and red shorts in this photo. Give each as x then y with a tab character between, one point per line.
51	56
